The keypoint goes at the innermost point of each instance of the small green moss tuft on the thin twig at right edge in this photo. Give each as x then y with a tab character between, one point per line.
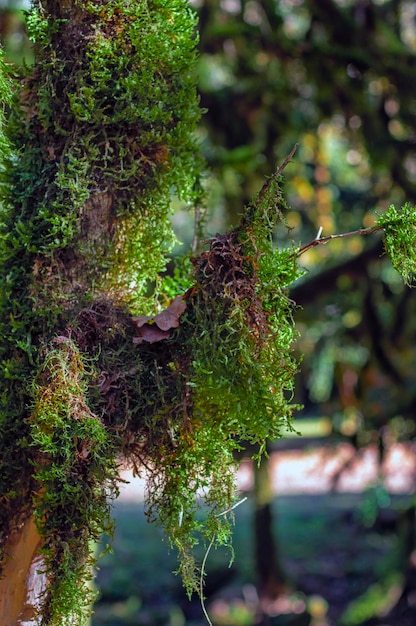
399	228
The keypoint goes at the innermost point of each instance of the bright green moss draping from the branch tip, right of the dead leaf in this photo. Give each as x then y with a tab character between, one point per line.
233	364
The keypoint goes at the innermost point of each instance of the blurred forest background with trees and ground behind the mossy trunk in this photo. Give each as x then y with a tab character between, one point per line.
327	534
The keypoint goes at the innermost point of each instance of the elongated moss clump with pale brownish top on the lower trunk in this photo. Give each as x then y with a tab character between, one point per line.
75	474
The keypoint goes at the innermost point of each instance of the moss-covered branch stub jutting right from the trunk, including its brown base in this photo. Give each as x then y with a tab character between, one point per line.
181	403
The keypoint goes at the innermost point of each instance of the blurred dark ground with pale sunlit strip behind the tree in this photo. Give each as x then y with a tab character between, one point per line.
339	535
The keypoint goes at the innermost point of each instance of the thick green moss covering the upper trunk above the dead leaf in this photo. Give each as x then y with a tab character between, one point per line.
105	129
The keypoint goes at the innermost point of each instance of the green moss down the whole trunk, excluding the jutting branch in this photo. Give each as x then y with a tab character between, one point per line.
102	134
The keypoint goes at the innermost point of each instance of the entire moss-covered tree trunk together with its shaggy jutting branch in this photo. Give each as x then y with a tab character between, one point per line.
93	369
